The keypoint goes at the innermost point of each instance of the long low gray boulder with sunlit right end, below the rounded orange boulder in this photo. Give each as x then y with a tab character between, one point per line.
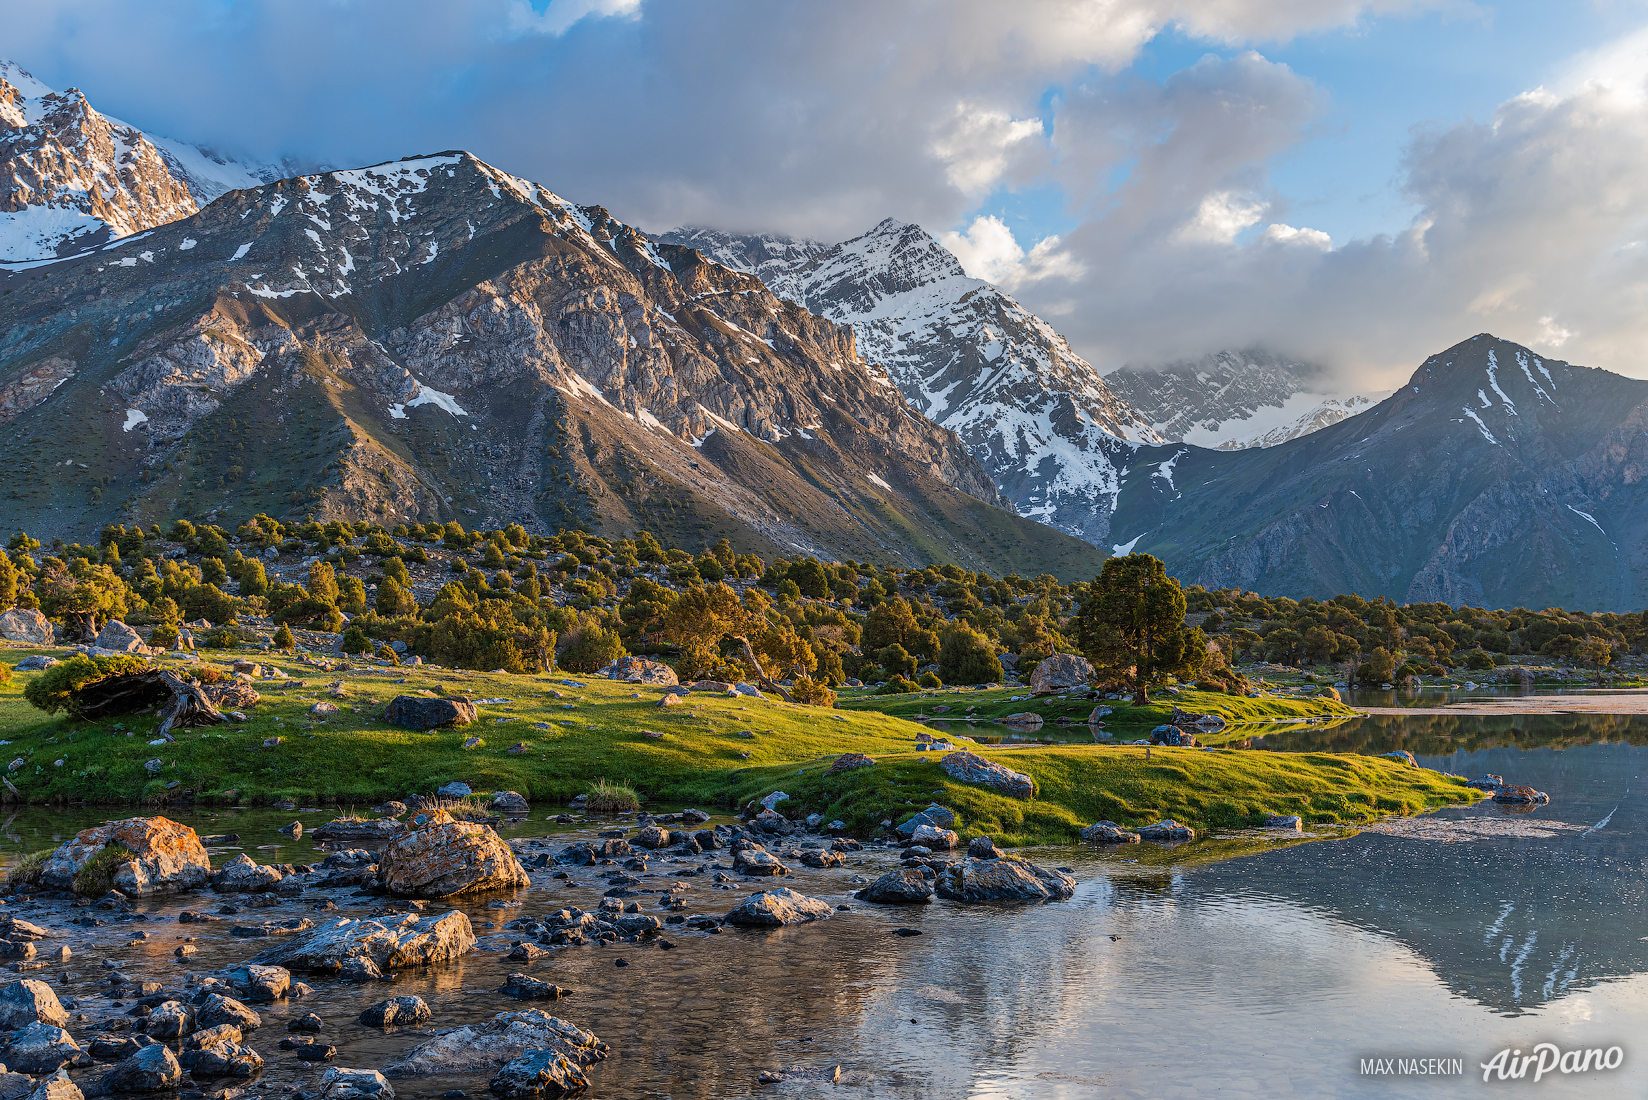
385	943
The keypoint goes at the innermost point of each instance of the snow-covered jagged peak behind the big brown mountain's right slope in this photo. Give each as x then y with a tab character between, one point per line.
1034	413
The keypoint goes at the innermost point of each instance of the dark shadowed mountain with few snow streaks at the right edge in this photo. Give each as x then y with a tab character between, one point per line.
1494	477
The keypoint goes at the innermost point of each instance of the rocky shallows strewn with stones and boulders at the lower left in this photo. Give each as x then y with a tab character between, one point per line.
260	979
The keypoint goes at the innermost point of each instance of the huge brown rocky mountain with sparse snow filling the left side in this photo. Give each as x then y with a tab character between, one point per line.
438	339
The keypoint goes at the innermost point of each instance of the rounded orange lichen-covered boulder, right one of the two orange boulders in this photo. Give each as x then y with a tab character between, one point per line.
441	857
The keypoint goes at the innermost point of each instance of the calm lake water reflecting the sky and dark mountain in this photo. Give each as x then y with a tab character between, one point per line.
1271	975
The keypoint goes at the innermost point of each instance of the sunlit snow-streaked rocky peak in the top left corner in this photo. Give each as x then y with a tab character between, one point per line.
70	177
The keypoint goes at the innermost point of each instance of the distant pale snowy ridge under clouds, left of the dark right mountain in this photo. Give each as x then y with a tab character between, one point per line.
1234	400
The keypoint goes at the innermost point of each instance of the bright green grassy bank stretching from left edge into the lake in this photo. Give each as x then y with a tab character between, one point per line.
714	751
